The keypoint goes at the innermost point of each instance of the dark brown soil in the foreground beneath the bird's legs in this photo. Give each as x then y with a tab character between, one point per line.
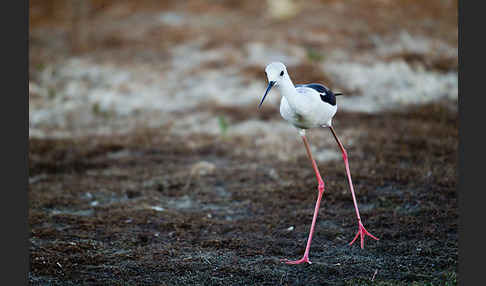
133	209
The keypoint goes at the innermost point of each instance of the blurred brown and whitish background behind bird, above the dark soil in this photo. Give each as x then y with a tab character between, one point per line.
99	67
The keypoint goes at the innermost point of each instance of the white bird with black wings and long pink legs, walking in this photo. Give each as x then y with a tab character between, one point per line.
309	106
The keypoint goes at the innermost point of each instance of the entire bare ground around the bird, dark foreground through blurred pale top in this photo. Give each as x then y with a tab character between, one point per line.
141	171
